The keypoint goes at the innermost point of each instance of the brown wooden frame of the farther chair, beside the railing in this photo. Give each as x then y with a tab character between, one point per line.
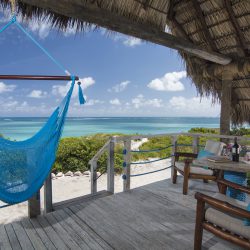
186	173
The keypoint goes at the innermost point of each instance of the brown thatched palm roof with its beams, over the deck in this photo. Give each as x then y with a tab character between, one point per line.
213	36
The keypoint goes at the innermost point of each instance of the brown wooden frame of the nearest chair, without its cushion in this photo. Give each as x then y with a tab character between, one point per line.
201	223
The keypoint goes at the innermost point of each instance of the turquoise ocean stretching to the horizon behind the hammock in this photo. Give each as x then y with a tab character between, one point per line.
23	128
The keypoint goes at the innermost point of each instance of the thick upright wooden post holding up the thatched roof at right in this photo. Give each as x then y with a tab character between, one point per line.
226	97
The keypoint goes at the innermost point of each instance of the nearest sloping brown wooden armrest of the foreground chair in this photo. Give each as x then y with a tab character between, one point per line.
222	205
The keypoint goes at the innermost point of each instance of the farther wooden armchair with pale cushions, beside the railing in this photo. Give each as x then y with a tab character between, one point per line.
185	167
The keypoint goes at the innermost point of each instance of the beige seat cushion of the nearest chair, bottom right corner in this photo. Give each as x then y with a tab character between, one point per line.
227	222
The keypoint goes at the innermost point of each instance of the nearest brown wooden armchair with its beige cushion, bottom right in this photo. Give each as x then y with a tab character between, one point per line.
223	216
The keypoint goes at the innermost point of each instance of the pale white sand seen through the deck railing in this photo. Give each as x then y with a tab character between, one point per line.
70	187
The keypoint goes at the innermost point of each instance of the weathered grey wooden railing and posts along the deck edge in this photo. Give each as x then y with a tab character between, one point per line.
109	147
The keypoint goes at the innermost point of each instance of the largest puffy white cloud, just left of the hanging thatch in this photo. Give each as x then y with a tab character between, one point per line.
169	82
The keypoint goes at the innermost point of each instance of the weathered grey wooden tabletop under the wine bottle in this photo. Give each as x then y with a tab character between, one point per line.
241	166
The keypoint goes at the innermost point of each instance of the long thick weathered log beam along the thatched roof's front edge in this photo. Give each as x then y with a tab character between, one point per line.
90	12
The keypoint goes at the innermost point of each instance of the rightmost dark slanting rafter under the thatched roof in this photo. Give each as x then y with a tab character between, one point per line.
236	26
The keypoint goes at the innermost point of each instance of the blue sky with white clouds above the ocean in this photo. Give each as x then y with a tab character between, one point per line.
121	76
